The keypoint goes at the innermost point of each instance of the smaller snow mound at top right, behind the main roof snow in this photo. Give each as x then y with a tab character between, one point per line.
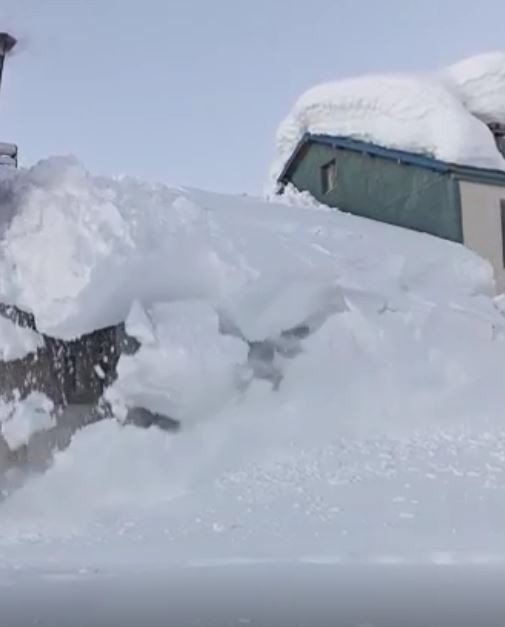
479	82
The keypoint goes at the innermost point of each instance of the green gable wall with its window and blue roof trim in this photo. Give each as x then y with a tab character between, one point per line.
392	186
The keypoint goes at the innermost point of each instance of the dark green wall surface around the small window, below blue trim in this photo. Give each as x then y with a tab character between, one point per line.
382	189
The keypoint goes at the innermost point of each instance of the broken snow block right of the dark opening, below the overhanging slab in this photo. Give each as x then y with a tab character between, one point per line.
185	371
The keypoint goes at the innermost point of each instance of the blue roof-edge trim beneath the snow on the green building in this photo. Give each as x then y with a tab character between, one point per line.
463	172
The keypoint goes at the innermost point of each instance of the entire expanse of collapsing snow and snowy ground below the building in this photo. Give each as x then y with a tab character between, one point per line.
381	455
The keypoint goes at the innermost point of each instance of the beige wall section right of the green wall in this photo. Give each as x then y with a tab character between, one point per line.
482	230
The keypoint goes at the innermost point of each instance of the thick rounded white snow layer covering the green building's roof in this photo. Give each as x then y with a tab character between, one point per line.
442	114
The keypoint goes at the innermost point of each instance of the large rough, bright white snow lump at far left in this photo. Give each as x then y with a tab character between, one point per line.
65	233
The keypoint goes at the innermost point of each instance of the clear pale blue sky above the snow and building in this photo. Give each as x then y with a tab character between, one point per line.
190	92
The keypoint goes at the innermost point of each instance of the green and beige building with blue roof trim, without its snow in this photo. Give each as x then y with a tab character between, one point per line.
459	203
